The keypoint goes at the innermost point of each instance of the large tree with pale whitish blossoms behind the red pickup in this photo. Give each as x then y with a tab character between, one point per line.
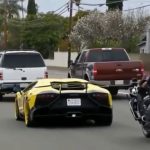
108	30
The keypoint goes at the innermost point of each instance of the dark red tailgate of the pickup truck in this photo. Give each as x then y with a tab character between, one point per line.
114	70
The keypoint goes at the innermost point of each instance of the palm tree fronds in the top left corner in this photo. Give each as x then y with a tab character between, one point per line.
11	8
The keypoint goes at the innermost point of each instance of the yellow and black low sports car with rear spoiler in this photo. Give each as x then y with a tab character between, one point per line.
63	98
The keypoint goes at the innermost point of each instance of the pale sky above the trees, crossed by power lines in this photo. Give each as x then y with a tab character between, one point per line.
52	5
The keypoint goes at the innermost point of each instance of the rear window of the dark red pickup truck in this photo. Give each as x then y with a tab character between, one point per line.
107	55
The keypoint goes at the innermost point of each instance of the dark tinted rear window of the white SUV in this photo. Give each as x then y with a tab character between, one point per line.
22	60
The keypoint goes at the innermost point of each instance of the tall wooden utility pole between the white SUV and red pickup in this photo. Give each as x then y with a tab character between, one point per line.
70	28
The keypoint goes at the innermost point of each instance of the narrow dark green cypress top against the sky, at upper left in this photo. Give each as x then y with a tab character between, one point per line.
31	8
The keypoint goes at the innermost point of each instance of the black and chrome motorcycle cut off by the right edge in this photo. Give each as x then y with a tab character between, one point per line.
140	108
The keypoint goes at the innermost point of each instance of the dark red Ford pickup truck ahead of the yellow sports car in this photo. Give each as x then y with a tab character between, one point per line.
108	67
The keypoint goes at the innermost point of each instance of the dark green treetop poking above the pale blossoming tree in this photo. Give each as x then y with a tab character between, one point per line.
114	4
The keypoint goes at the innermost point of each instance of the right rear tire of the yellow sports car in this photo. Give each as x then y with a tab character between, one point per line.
105	121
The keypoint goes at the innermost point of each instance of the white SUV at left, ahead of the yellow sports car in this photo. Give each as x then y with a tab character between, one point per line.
20	68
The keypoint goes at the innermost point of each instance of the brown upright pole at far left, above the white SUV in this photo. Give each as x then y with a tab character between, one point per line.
5	24
